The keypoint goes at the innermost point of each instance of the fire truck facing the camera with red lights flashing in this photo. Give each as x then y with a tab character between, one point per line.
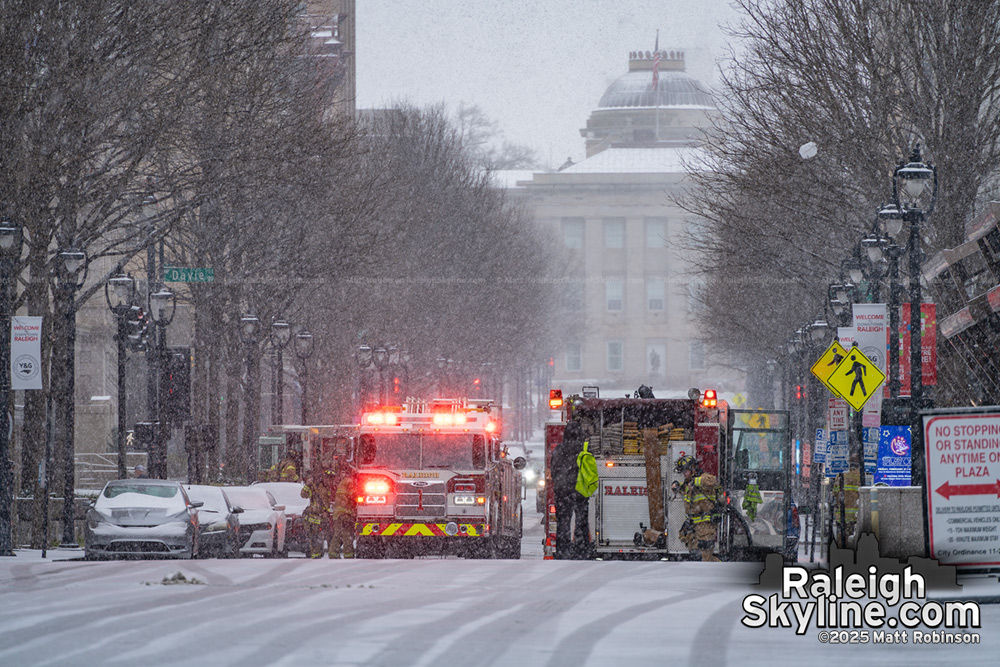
433	479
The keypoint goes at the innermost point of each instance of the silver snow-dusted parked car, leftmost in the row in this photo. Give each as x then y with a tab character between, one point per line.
141	518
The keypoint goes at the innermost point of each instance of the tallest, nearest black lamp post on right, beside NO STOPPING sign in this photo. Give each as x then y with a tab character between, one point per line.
914	191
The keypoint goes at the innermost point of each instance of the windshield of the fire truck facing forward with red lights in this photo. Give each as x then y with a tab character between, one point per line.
460	451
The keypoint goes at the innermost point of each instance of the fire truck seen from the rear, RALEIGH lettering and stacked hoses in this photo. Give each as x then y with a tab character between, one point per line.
637	442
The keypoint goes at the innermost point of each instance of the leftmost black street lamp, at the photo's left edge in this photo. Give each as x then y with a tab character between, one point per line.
11	235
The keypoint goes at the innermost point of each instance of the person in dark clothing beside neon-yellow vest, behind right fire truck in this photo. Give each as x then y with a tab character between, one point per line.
571	506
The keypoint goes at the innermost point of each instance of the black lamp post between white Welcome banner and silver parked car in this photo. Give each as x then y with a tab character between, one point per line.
69	280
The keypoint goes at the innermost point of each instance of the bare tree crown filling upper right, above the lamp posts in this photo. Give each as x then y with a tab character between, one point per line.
865	80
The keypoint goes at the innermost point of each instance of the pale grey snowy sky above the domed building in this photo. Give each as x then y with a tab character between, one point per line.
537	67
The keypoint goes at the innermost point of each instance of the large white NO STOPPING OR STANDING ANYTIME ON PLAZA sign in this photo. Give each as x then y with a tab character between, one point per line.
963	487
